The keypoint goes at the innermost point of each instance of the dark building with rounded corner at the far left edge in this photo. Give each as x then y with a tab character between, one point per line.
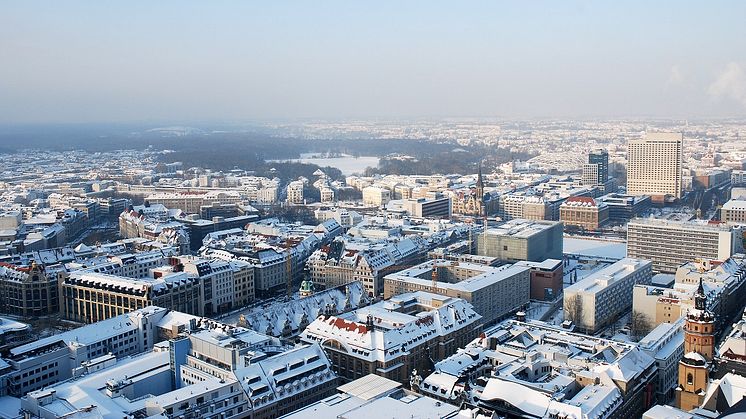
28	291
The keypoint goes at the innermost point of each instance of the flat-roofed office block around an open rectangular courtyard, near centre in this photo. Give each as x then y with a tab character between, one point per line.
493	292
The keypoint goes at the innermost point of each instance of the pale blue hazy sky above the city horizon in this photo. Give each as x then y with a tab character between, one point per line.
182	61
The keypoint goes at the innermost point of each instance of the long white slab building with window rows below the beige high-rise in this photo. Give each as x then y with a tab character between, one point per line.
670	244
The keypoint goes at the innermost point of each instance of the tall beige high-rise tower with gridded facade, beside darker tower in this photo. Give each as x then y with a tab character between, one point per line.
654	164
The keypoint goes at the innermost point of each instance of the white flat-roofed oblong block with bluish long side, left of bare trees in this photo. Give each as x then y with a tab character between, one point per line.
600	298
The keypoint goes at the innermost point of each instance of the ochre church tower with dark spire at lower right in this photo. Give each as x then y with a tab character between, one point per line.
699	346
